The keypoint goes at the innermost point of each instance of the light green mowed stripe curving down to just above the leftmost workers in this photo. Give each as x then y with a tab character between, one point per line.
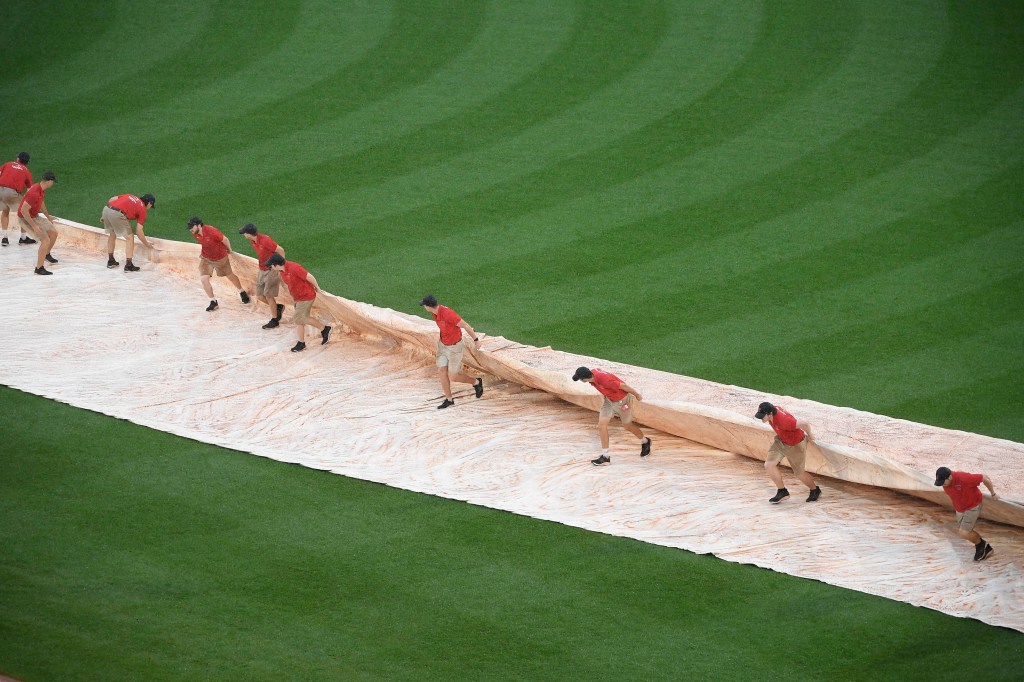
276	81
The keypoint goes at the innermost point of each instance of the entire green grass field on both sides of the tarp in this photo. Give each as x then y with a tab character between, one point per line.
818	201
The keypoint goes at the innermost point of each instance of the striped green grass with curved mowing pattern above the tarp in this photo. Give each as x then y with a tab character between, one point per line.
821	203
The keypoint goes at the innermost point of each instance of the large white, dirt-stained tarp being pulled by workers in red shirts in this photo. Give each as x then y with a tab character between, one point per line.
141	347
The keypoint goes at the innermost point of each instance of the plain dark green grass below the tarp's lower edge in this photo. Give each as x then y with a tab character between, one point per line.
154	558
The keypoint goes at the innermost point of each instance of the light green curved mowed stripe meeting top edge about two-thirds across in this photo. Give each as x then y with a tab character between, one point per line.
529	169
